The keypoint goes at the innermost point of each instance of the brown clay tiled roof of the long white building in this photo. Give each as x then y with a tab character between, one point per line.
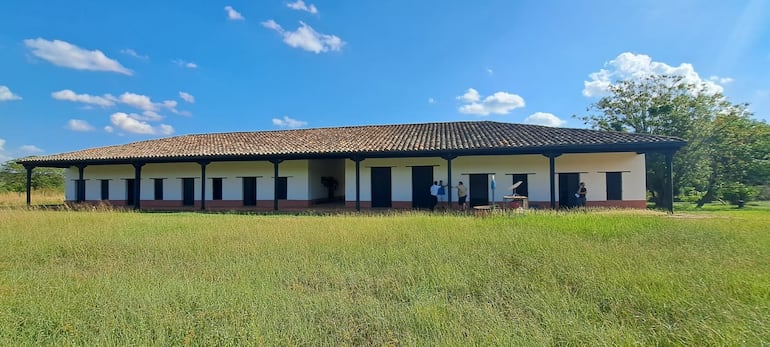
458	137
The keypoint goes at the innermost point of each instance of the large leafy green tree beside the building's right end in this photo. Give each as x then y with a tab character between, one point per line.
668	105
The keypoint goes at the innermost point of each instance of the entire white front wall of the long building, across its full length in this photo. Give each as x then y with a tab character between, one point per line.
592	168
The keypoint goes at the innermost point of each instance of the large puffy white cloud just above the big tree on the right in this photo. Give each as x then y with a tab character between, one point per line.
637	66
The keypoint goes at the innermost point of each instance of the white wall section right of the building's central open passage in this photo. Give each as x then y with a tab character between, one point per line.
592	168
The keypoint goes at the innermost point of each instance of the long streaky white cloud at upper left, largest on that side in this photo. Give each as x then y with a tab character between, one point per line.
65	54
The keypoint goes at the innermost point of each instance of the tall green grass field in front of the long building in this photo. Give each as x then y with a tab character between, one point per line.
547	278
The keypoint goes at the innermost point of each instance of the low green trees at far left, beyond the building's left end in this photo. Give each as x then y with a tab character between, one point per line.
13	177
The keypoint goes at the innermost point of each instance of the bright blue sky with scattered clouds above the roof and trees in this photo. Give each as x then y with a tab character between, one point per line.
80	74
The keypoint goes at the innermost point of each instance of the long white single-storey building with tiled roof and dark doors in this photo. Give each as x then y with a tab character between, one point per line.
372	166
